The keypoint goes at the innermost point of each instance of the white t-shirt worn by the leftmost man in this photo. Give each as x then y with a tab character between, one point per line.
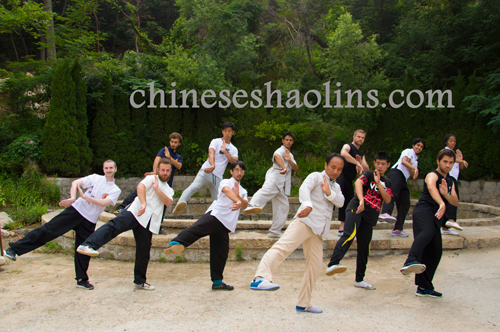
98	187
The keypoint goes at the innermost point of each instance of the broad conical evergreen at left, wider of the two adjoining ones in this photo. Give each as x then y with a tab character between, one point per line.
59	138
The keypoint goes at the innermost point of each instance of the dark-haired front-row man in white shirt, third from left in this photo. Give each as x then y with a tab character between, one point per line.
220	219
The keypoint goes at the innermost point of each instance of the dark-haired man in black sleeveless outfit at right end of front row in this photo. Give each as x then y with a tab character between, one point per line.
427	247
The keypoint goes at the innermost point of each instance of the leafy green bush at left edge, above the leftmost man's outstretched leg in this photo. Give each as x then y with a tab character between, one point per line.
27	198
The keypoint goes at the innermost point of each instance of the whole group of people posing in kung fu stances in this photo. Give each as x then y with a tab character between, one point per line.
359	208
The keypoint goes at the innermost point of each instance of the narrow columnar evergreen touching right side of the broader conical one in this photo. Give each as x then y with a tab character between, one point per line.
84	151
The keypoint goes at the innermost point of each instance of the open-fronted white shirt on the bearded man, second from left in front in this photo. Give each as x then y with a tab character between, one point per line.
154	205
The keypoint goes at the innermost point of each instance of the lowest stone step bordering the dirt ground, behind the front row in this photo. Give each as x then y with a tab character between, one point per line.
253	243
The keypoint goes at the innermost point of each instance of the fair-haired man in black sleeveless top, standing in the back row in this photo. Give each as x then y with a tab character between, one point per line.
355	163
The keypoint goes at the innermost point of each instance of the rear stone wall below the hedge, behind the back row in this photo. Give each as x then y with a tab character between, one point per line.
484	192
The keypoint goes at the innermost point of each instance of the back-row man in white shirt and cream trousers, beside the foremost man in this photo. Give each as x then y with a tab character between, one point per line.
276	186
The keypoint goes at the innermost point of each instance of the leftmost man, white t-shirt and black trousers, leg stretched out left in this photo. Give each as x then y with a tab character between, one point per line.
80	215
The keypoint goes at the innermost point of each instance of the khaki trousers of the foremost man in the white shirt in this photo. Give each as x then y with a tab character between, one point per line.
296	234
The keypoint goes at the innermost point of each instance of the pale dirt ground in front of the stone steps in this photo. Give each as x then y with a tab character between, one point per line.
38	293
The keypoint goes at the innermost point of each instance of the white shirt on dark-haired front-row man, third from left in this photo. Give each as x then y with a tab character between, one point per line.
221	208
